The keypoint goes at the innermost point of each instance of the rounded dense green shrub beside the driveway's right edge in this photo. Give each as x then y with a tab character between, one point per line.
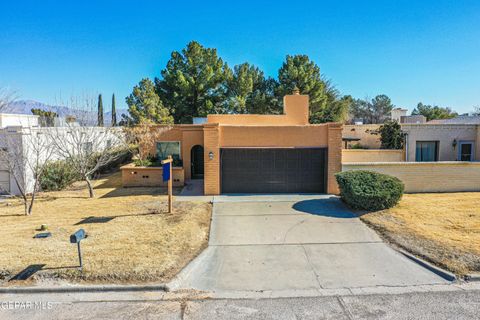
369	190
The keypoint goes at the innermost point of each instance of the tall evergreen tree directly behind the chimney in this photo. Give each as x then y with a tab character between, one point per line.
300	72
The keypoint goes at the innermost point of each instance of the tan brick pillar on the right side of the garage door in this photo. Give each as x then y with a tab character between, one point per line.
334	156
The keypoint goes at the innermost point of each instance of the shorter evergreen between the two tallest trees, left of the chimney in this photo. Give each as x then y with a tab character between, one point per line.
249	92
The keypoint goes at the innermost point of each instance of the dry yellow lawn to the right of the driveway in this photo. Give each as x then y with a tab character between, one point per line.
443	228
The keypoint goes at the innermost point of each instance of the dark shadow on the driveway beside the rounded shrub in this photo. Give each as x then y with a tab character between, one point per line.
330	207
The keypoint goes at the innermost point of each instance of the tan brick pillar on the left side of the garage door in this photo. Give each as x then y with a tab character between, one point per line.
211	138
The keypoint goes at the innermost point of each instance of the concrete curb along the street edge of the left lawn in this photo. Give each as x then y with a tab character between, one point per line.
111	288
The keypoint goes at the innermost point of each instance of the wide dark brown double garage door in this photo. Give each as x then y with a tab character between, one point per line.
251	170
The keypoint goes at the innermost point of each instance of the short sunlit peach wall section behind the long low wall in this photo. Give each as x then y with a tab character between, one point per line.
372	155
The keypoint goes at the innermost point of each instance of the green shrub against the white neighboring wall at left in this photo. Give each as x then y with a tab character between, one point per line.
57	176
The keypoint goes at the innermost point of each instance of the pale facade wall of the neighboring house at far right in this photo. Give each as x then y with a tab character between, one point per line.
444	133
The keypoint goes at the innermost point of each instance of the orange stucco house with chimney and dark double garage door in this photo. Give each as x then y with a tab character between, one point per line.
247	153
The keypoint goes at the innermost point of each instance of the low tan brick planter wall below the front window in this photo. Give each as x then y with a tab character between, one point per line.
149	176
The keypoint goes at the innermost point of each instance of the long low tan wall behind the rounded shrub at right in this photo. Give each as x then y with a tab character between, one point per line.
449	176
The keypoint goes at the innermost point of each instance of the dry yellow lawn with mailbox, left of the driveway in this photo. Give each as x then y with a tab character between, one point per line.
131	238
